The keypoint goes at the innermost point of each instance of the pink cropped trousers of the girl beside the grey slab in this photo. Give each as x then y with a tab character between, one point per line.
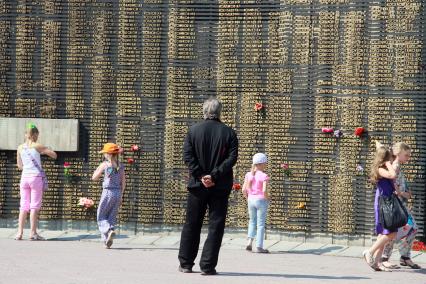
31	193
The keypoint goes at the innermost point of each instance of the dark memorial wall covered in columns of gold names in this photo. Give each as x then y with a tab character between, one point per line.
137	72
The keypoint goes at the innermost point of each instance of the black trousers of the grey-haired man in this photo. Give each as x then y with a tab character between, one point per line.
197	204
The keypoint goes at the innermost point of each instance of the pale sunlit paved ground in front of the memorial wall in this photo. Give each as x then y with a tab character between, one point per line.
78	257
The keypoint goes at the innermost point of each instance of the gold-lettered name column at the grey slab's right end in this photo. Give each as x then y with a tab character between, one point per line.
77	52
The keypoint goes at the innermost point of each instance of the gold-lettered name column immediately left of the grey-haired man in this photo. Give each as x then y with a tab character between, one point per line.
179	110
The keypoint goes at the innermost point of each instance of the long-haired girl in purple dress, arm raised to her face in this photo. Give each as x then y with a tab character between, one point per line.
382	175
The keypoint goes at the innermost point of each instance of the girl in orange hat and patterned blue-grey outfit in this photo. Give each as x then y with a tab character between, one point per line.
112	194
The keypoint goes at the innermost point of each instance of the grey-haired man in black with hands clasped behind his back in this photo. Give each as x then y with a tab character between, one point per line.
210	152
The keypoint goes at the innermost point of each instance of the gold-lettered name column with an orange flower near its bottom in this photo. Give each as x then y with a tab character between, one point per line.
297	187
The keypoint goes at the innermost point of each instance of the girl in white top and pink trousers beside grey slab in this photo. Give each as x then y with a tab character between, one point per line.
32	180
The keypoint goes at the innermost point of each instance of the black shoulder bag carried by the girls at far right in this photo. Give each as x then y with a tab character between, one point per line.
392	213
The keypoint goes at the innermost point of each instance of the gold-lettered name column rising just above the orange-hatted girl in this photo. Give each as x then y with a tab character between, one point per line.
102	82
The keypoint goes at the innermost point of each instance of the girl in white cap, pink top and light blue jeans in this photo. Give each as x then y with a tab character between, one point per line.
255	190
